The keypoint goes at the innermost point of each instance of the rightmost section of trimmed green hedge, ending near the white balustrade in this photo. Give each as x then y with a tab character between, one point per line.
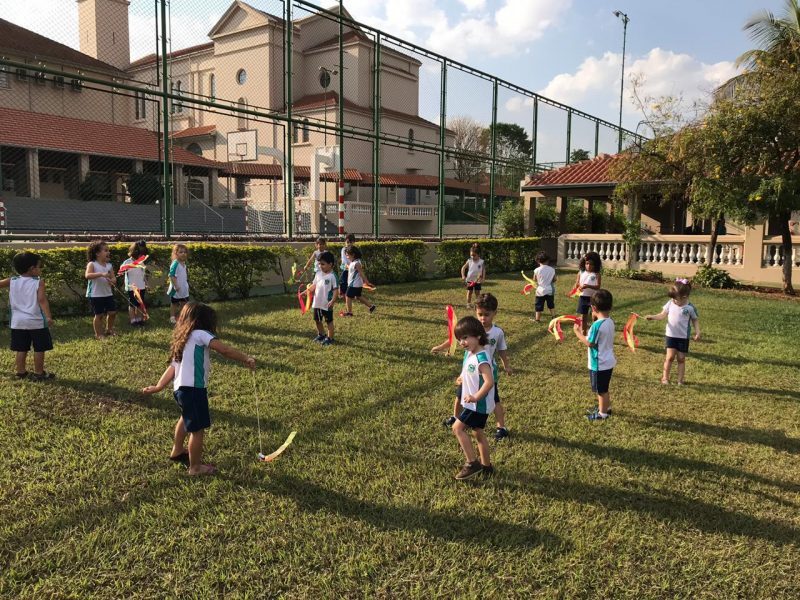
501	255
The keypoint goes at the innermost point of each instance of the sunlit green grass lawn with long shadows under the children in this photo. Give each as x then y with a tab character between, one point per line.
688	492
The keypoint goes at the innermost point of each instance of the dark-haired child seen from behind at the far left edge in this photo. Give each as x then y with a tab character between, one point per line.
30	316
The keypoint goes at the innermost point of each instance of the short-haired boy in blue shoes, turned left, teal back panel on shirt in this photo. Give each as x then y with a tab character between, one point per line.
600	343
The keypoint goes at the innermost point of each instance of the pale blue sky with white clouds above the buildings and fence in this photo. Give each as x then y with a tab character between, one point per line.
567	50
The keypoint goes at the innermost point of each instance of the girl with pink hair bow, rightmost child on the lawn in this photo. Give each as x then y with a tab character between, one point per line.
681	315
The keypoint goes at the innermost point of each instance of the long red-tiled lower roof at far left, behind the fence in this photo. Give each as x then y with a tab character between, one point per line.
27	129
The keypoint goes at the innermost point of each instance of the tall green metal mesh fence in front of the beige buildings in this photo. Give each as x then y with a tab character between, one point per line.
264	118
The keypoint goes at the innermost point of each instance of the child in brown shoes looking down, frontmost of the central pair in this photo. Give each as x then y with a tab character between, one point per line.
477	398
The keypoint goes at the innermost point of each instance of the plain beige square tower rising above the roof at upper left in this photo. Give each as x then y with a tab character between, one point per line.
104	32
